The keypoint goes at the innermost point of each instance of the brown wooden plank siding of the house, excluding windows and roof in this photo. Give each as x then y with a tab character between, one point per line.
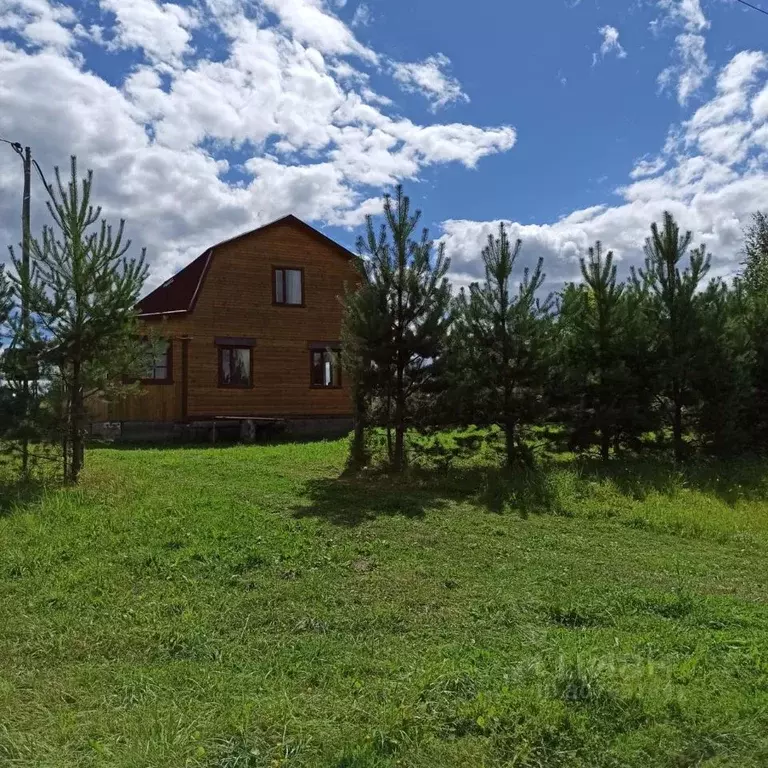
236	301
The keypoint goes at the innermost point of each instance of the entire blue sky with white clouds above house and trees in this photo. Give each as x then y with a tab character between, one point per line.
570	120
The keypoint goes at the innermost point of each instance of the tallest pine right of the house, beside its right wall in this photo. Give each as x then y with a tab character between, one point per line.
401	314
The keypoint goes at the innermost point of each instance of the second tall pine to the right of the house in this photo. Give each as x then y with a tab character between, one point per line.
503	340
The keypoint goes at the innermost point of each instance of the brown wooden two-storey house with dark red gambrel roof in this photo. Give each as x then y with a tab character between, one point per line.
250	330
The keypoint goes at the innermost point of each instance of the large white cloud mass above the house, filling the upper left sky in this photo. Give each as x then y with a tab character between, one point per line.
192	147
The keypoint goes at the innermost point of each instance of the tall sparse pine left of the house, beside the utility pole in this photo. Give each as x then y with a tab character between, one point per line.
88	290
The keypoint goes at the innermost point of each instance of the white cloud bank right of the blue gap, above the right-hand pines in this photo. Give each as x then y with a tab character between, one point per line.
715	178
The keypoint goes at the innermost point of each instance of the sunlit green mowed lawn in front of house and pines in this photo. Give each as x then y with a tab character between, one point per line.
239	607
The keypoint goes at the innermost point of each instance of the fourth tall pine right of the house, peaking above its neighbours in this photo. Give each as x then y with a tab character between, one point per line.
676	309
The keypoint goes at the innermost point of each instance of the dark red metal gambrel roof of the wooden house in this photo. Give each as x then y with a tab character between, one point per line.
179	293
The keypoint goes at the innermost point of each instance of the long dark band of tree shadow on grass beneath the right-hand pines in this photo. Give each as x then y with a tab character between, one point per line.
352	498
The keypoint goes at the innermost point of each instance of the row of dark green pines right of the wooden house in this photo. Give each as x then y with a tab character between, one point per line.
668	357
